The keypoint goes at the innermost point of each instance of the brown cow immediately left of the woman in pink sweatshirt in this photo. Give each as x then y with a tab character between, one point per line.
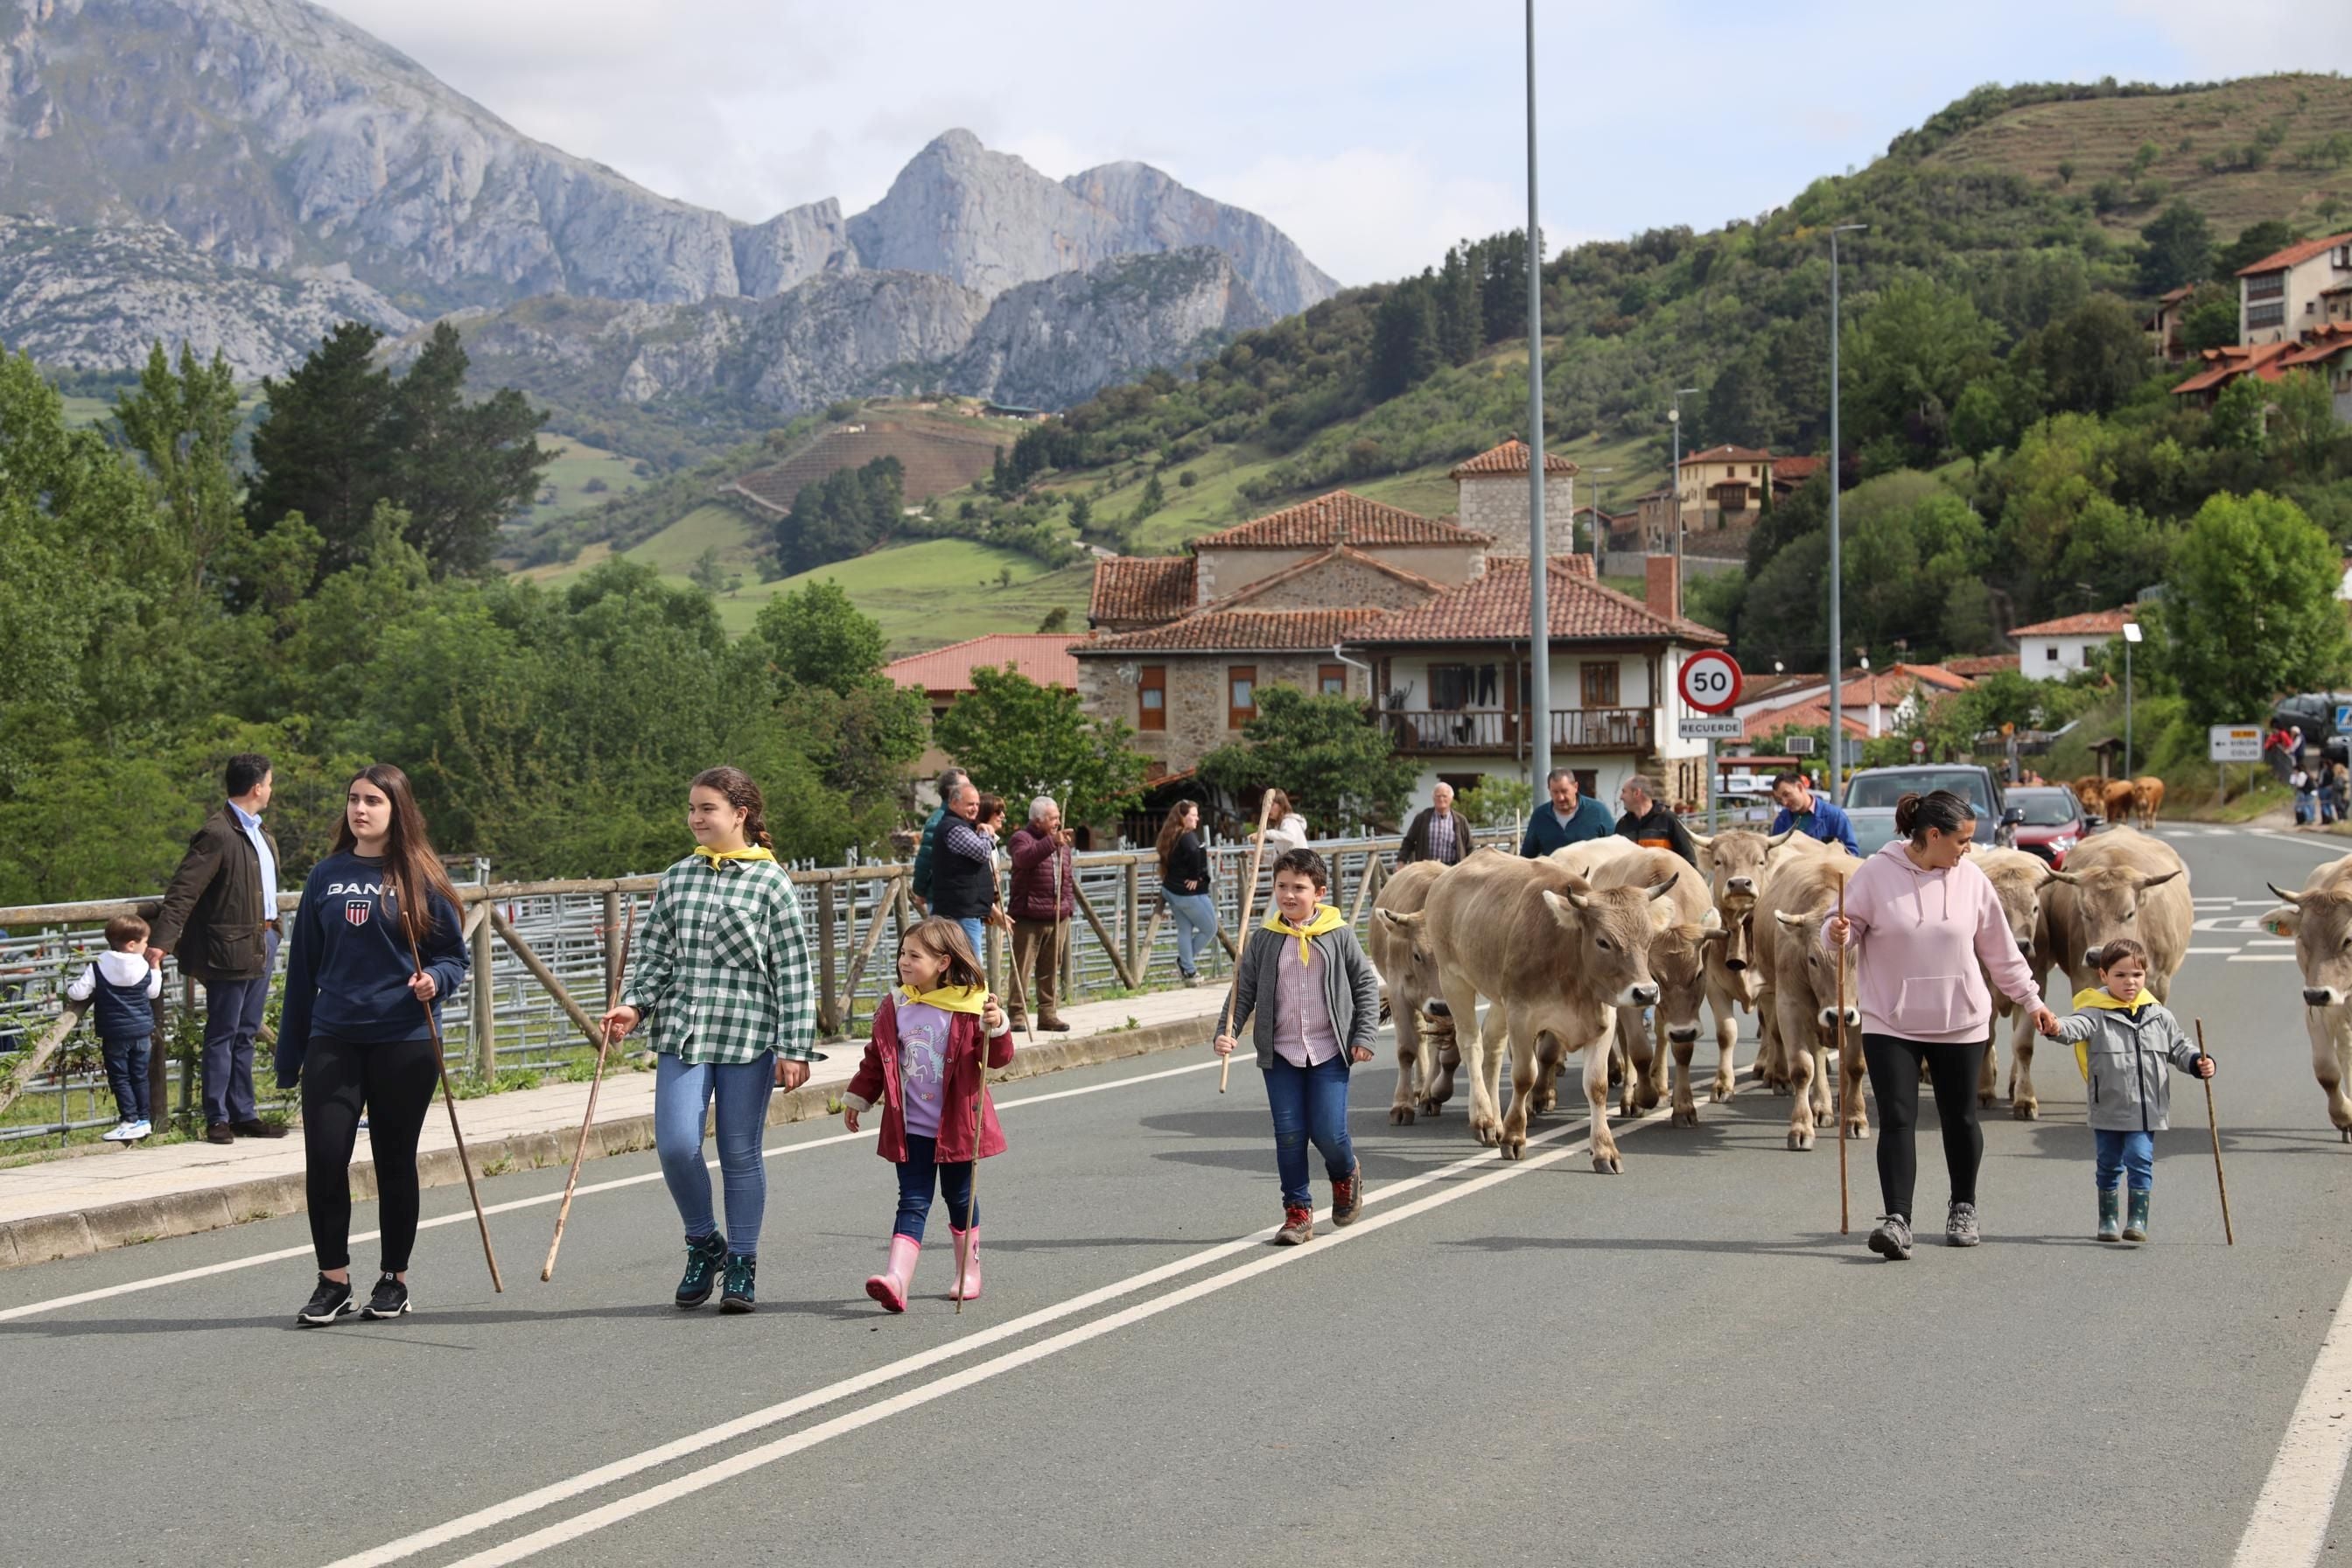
1800	993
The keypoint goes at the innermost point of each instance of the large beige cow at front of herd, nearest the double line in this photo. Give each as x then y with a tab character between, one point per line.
1556	958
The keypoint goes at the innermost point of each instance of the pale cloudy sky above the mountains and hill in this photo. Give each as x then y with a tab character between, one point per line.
1372	130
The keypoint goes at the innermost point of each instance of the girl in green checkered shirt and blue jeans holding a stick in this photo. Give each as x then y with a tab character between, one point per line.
723	972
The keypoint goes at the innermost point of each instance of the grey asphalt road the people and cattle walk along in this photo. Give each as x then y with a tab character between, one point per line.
1499	1362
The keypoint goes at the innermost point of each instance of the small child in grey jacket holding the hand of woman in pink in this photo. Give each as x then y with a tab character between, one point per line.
2127	1045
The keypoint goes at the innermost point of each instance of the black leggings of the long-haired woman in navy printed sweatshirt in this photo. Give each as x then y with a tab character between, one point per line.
392	1083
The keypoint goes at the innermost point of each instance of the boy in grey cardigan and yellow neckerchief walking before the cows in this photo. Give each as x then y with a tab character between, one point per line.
1316	1005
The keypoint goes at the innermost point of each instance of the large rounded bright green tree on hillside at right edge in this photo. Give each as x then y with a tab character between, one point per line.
2252	610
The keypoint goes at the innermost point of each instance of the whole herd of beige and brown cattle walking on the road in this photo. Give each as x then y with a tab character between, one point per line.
1570	949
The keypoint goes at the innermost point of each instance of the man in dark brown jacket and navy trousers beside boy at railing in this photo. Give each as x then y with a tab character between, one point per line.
220	916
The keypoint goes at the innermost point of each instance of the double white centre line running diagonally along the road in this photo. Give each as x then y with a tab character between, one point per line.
768	1454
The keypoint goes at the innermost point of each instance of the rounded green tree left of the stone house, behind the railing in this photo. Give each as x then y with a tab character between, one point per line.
1020	739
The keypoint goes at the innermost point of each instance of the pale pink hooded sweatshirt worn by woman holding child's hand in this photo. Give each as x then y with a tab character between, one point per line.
1927	944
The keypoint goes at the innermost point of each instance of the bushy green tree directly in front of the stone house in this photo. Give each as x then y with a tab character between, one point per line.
1335	765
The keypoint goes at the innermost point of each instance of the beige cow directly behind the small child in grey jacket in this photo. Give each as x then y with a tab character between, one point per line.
2116	883
